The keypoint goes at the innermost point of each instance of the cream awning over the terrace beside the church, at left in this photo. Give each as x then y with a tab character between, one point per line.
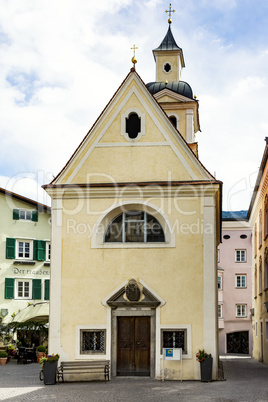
35	312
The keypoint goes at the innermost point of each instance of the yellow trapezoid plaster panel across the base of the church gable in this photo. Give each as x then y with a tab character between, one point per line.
136	164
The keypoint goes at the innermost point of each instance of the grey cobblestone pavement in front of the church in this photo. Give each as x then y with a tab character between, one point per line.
246	380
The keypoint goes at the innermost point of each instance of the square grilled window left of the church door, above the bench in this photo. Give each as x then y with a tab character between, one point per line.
92	341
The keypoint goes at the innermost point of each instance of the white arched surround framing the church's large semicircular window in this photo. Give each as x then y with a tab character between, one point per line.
106	218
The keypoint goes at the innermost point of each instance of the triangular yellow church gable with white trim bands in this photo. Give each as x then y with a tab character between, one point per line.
106	153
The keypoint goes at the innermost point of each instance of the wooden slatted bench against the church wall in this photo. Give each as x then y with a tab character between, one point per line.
84	367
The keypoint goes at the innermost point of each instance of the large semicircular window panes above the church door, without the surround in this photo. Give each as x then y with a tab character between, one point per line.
134	227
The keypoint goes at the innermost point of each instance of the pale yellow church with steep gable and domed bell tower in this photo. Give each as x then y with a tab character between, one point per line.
136	221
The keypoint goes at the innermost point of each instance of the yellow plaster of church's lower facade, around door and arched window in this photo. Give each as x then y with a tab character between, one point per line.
90	275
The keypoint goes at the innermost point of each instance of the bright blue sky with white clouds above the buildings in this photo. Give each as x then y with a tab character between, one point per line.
62	61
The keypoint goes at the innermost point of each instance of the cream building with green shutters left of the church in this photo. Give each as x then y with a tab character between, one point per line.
24	258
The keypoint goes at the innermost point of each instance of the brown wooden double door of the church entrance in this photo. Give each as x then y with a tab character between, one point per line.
133	346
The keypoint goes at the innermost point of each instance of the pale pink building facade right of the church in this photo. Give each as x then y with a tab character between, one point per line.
235	285
